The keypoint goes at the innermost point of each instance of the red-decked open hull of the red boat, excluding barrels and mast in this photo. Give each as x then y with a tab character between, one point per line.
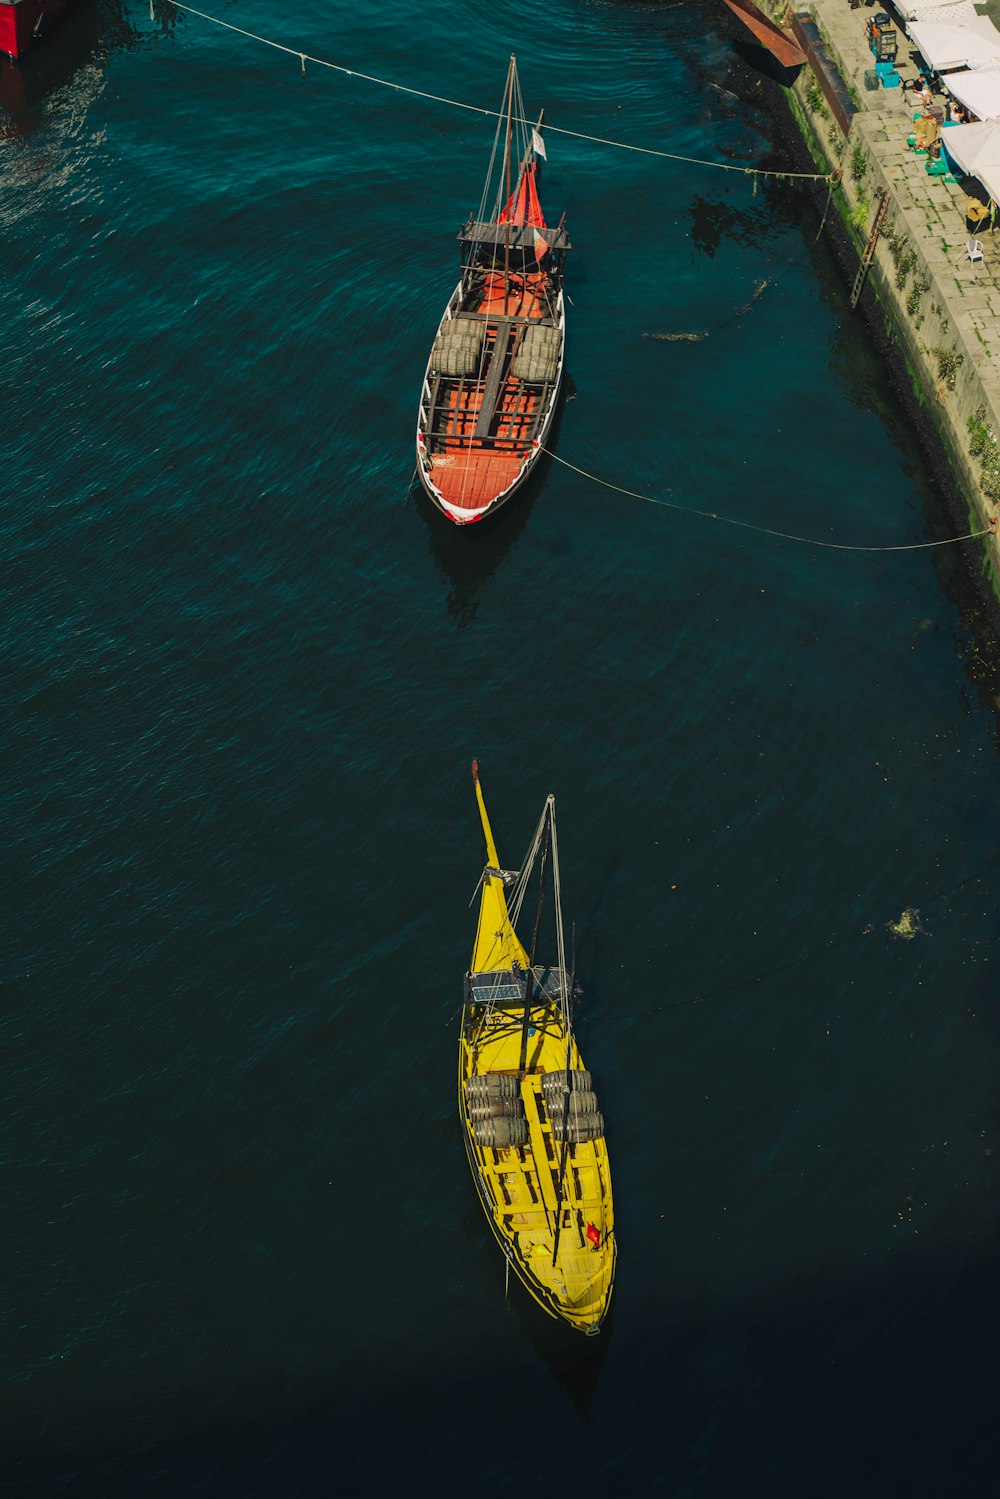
472	467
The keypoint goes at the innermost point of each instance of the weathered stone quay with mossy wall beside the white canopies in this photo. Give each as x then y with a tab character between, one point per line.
944	322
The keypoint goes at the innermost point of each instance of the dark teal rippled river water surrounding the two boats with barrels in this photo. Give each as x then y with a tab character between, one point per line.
245	671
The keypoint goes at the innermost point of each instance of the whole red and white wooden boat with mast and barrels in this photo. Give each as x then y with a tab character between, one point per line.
494	375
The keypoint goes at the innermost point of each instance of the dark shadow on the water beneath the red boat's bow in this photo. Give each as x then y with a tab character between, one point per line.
469	557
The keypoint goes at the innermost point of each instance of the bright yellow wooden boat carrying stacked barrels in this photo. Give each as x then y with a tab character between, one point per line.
533	1129
